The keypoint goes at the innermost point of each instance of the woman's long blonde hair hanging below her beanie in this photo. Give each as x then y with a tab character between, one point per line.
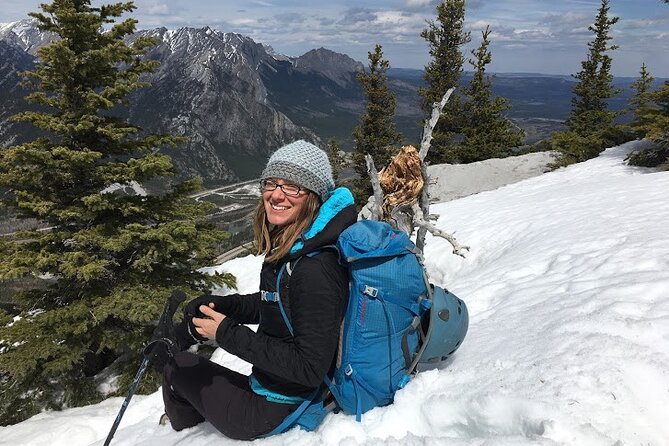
275	242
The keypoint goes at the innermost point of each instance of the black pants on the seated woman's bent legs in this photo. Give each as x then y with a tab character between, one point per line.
196	389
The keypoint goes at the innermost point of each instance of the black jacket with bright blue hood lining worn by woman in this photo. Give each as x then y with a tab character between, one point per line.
314	296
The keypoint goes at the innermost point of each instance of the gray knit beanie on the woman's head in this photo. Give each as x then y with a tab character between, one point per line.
304	164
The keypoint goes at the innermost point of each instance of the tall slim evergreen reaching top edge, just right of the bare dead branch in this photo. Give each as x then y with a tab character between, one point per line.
445	37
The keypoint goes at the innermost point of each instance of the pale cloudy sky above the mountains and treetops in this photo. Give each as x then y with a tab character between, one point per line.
538	36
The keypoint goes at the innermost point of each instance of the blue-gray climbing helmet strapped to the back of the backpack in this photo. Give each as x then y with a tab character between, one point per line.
449	320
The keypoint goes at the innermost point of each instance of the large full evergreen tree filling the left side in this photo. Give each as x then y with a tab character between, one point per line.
111	258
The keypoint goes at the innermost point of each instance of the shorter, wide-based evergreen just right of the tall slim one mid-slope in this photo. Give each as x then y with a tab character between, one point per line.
487	132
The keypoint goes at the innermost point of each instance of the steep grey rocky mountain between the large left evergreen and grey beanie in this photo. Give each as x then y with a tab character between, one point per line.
208	88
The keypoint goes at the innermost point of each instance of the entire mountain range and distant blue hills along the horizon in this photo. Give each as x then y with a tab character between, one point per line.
236	99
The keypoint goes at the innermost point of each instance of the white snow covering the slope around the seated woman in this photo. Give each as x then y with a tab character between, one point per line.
567	284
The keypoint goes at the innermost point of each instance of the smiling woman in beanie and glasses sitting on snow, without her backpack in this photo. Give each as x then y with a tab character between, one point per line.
298	213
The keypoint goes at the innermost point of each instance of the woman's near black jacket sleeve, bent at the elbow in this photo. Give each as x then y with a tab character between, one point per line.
318	295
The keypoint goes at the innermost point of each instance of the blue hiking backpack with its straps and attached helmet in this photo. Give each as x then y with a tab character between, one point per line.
395	319
